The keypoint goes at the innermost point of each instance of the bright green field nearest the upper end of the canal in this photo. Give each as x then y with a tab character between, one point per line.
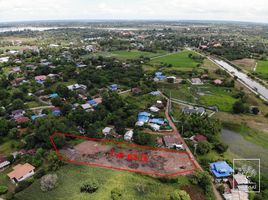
177	60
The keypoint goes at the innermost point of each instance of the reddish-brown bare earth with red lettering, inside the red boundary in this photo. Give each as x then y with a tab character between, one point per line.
157	162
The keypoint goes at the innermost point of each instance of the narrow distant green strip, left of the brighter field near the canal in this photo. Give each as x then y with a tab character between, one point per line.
134	54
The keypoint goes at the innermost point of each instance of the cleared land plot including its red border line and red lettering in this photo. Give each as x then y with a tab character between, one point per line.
125	156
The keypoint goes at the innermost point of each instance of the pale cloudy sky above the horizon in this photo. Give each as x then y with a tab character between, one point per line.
231	10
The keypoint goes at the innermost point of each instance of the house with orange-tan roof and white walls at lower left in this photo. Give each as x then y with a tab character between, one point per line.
21	172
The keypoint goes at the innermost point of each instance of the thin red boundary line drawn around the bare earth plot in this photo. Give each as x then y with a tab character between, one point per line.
116	168
